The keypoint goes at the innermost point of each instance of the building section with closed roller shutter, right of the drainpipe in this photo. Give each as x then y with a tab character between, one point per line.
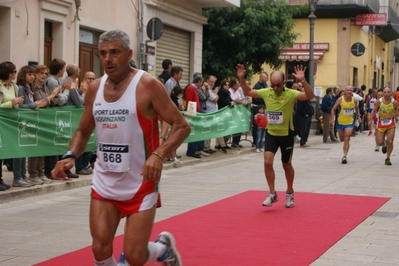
181	38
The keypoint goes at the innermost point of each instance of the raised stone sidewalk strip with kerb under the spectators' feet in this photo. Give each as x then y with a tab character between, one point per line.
15	193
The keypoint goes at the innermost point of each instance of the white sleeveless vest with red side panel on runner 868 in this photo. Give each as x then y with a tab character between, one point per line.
125	138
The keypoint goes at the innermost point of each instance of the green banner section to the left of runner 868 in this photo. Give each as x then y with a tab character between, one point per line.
39	132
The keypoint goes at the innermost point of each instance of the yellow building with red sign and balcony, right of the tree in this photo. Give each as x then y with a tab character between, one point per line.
346	51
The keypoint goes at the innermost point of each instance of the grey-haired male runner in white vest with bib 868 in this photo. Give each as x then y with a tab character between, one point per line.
124	106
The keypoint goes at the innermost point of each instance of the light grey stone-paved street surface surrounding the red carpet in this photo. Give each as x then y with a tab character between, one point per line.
40	227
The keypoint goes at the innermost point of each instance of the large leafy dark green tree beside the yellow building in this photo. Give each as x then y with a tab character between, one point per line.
252	34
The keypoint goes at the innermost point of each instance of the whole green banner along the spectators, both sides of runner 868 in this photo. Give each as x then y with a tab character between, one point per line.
47	131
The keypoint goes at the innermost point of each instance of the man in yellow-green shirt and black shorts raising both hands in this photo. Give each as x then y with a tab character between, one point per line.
280	129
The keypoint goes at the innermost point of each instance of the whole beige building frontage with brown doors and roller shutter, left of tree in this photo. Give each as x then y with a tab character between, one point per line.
35	31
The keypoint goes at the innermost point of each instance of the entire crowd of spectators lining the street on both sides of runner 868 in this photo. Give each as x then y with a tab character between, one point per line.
48	86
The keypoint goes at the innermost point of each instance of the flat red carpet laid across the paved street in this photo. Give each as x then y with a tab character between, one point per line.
239	231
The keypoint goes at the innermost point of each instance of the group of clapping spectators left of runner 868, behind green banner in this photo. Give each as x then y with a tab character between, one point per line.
42	87
